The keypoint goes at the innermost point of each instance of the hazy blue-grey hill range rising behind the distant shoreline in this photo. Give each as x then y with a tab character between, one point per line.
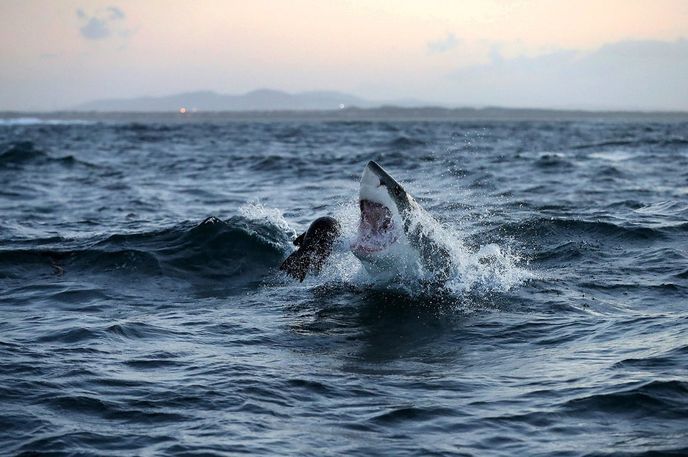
258	100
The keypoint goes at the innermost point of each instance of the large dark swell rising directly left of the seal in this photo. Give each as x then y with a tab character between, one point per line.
239	250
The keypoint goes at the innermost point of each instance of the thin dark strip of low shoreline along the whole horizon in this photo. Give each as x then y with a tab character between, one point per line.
386	113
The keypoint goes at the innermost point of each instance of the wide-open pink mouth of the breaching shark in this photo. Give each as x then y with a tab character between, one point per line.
376	229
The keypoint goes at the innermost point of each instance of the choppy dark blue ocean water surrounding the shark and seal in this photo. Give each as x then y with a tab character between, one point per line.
142	311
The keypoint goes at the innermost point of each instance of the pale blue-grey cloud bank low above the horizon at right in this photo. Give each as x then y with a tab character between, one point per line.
627	74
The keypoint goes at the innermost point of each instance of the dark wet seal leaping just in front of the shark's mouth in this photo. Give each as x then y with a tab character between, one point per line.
314	246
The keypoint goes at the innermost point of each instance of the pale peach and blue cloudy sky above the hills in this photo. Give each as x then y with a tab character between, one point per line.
599	54
